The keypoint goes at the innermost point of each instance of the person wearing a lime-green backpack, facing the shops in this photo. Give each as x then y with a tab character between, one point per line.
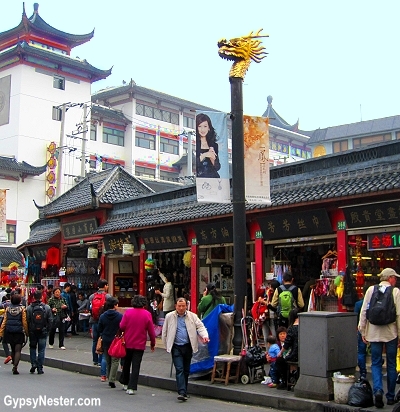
286	297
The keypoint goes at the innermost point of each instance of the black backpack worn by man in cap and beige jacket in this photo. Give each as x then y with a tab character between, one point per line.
381	309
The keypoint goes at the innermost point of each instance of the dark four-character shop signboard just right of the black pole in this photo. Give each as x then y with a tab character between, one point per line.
290	225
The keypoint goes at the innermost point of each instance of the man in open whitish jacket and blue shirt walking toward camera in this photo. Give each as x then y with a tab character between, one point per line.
179	336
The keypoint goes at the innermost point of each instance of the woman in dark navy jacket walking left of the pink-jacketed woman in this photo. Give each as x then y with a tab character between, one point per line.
108	327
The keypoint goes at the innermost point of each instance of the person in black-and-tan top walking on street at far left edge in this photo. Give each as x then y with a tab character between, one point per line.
14	329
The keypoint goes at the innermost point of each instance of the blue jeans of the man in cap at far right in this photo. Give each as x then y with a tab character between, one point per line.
376	367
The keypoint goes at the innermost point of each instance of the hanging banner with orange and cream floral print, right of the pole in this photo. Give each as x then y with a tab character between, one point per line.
256	159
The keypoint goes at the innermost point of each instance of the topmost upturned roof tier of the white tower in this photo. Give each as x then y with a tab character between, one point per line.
35	25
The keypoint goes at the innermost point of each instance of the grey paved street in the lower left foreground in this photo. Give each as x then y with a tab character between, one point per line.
60	386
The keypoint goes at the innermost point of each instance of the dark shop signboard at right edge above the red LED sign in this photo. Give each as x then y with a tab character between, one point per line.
377	214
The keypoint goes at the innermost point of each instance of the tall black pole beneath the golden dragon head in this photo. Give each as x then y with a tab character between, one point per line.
239	208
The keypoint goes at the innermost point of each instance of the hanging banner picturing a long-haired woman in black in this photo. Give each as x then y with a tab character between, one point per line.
212	168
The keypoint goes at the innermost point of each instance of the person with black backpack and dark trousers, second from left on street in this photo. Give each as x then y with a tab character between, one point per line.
40	320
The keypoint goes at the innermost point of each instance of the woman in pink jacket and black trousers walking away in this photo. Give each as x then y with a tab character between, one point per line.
136	324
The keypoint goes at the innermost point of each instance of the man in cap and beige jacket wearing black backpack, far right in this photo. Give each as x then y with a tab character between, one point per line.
380	326
